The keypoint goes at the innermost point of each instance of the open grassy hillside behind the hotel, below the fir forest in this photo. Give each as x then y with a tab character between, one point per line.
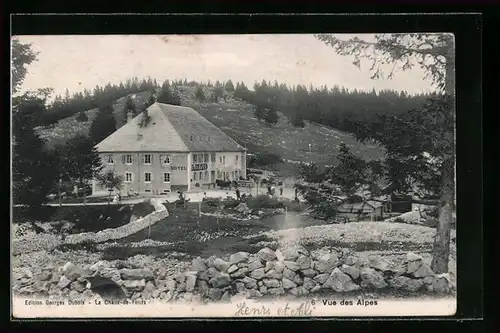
236	118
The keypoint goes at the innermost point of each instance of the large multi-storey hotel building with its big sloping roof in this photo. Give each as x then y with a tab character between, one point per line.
178	150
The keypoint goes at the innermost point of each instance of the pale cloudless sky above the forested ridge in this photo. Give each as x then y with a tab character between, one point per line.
78	62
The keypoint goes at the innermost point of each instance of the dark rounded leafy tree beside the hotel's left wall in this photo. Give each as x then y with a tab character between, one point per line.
79	160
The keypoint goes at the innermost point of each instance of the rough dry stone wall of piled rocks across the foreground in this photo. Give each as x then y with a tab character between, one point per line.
268	273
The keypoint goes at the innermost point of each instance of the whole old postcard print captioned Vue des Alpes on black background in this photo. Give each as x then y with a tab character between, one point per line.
250	175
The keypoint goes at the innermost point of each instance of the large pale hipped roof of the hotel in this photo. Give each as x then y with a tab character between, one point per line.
171	128
